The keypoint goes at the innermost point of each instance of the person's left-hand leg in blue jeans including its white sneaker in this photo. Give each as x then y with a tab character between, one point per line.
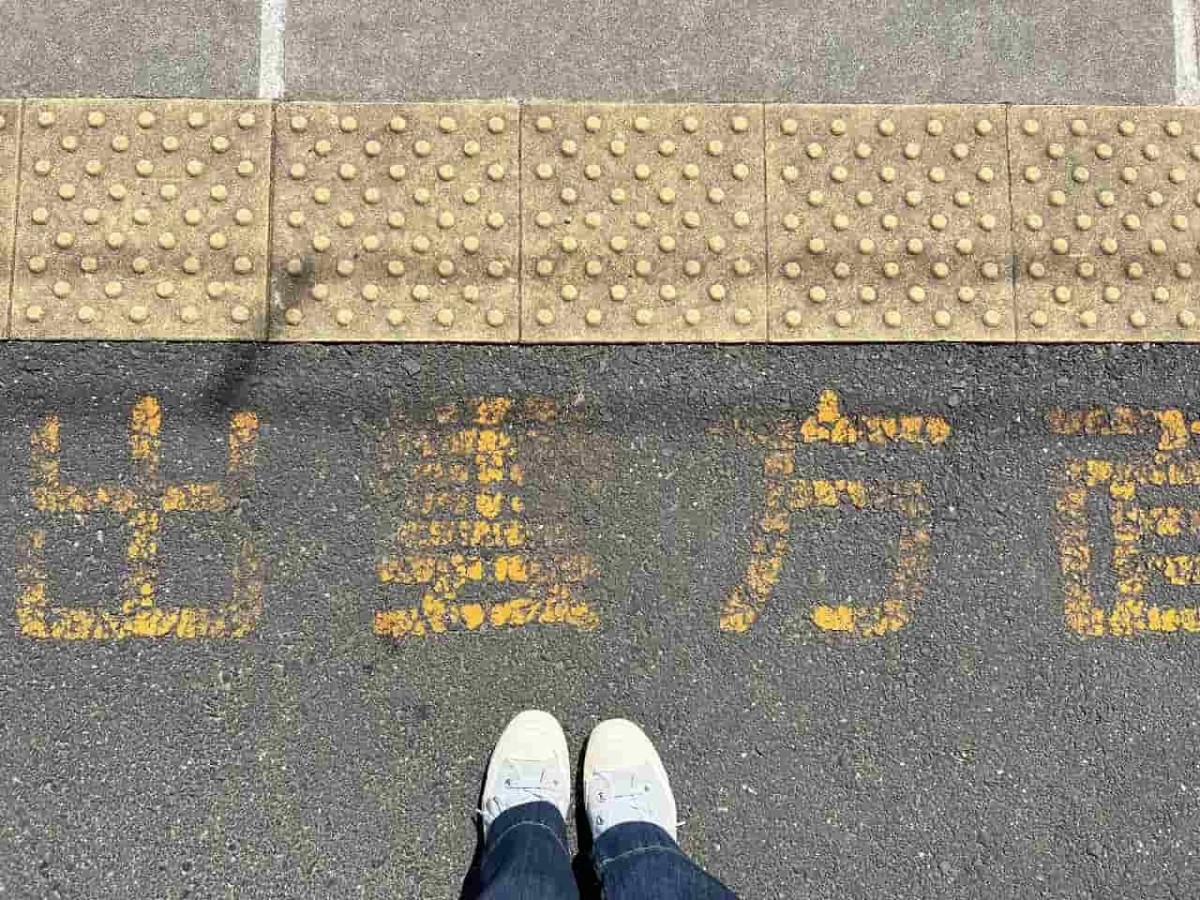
526	797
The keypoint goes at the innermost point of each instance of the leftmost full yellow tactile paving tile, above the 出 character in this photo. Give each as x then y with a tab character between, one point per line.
143	220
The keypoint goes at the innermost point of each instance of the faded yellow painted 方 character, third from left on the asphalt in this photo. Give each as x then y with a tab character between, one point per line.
787	495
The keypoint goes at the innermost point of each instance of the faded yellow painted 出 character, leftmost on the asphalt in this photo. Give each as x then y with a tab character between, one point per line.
143	506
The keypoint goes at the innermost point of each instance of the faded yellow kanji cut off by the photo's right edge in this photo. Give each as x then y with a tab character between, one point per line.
1132	523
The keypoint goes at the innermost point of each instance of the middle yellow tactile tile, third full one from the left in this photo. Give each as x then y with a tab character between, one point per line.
643	224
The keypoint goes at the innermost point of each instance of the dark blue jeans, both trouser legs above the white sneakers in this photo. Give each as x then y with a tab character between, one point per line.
526	859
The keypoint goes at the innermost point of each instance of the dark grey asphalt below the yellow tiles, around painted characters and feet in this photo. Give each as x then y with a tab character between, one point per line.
982	752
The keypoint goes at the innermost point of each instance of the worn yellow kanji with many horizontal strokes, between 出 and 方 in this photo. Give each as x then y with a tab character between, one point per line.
467	531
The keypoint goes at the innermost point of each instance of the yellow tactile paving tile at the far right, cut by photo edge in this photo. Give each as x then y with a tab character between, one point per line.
1107	217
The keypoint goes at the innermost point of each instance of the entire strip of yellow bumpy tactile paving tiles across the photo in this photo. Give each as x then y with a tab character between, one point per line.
592	223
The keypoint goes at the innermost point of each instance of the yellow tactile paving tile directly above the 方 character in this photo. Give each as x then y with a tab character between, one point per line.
889	224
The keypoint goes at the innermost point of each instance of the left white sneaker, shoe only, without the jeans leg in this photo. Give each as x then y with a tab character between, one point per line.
531	763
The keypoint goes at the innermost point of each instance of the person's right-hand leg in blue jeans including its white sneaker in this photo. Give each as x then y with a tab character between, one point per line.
633	817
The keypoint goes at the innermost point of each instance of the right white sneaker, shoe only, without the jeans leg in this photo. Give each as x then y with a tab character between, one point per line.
625	781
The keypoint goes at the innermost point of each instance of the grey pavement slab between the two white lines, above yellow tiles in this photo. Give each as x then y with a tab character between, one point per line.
797	51
